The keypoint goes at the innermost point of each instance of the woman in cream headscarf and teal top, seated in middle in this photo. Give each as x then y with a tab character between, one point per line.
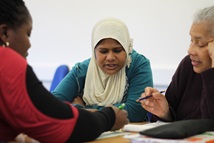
115	73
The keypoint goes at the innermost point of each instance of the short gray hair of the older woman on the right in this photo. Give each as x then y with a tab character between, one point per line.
205	15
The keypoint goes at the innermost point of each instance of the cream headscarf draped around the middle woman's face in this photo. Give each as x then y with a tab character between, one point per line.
100	88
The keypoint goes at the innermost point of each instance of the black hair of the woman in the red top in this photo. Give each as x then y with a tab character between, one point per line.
13	13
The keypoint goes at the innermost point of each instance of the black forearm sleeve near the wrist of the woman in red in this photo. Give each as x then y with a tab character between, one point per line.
91	125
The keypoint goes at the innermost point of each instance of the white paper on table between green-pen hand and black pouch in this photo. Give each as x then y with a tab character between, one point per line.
138	128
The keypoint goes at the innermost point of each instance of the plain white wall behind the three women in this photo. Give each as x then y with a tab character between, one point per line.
62	31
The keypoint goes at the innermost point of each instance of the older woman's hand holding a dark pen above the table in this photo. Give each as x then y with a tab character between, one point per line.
157	104
